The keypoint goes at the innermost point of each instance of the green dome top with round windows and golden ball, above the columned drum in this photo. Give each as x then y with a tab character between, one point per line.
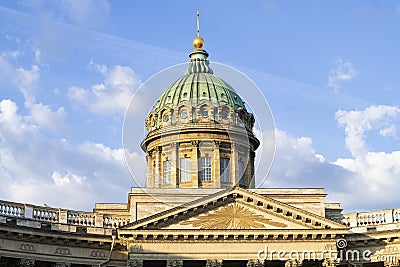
198	96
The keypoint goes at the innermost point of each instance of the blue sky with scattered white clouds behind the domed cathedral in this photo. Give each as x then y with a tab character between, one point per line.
328	69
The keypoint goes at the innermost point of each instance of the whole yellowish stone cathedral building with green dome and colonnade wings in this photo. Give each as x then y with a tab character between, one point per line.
192	212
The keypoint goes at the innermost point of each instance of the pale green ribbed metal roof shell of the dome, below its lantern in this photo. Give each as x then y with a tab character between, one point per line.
194	88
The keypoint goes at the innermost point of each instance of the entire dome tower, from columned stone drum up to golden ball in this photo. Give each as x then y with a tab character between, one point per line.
200	134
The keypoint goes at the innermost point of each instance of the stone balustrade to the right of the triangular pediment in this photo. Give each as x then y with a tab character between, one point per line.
372	218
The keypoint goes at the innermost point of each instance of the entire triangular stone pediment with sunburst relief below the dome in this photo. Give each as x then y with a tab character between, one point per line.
235	208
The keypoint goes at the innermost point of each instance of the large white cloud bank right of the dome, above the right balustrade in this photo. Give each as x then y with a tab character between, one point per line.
367	181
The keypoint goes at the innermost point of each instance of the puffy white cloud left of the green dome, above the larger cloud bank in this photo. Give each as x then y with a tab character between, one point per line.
113	95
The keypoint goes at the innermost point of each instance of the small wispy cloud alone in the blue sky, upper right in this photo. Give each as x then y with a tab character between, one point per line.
343	72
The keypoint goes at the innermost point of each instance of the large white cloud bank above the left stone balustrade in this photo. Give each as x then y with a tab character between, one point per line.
38	169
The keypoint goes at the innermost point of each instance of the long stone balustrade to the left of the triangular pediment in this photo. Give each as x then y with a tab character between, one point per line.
61	216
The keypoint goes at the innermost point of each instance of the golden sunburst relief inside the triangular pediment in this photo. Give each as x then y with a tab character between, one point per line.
232	216
